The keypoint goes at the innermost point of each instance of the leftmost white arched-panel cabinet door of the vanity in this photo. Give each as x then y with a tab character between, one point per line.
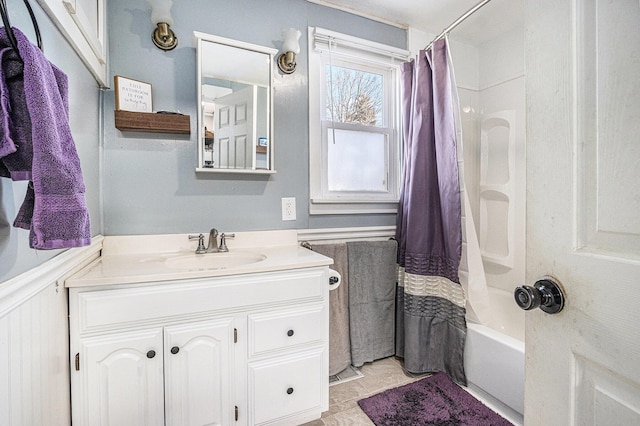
121	380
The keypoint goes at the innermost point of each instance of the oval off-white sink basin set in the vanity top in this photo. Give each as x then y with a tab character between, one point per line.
213	261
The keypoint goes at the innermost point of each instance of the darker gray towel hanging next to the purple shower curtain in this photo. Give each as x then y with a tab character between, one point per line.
372	287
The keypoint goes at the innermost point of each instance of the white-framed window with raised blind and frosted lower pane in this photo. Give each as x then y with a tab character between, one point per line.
353	124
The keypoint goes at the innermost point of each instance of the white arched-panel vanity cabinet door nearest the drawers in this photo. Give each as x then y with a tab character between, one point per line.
198	373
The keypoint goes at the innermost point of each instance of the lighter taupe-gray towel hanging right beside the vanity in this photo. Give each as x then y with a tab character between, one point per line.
339	343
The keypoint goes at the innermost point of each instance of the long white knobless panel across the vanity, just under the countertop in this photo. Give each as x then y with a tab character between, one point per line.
98	310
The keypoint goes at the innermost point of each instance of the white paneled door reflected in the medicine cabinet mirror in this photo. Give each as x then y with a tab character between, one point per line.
234	129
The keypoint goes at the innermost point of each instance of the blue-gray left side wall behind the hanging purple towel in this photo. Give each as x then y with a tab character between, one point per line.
85	112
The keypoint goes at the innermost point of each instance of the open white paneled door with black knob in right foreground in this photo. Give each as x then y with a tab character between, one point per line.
583	210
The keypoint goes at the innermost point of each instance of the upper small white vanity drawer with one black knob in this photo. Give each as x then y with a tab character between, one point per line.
275	330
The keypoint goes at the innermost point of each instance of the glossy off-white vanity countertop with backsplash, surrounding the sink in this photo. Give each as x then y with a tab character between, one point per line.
148	258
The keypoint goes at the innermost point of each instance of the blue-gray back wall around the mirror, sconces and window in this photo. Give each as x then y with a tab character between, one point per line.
150	184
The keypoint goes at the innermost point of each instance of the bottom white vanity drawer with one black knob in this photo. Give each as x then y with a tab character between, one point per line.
286	386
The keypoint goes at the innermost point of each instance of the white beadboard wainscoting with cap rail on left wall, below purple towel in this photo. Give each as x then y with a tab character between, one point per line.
34	341
